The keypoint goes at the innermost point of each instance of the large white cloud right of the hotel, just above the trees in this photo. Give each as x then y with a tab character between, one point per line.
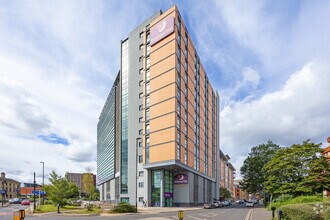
292	114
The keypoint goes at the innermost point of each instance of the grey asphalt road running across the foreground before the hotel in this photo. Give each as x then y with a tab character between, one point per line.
234	212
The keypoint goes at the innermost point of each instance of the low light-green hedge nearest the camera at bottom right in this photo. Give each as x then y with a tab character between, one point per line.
299	212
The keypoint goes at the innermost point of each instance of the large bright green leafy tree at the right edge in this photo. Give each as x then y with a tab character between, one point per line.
297	170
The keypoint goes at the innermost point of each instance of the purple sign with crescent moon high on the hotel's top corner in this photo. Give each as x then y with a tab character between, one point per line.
162	29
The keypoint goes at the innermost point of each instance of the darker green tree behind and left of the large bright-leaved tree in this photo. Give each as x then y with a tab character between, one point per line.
251	171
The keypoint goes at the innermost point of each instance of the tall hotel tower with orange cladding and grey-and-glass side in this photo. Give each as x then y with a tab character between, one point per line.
158	132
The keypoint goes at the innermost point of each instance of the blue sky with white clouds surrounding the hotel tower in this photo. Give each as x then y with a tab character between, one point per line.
269	61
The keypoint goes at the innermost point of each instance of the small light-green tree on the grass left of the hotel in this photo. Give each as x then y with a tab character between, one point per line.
60	189
